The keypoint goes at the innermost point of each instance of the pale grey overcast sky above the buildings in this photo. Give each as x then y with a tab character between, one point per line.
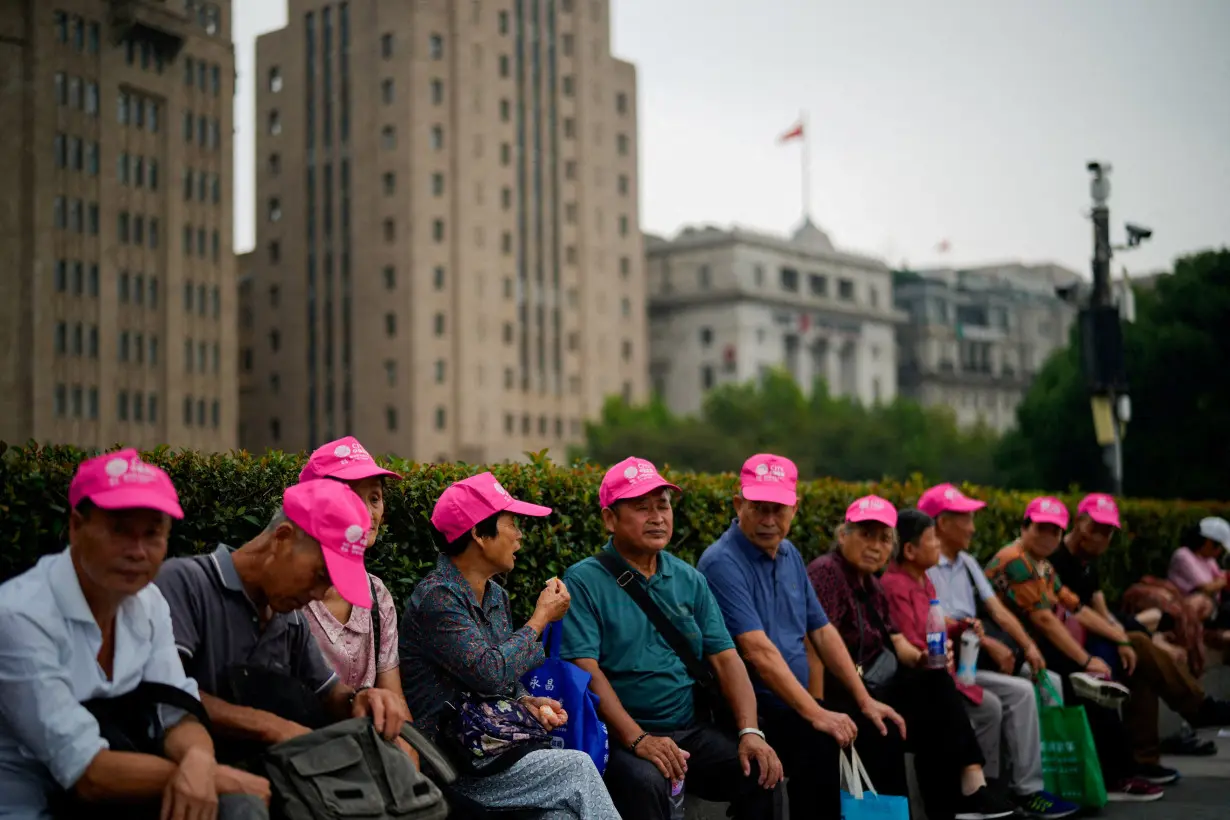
953	120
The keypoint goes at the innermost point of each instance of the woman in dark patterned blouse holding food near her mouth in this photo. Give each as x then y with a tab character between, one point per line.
457	637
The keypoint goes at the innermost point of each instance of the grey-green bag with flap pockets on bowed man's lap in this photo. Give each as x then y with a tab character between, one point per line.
347	770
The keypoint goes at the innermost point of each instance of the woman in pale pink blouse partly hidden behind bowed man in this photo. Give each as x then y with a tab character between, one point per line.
345	634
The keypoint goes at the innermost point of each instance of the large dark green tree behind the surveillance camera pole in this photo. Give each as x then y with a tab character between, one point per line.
1178	443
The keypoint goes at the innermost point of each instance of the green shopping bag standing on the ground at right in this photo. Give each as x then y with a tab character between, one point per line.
1071	767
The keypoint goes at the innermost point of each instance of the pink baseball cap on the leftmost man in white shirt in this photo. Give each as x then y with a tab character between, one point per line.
121	481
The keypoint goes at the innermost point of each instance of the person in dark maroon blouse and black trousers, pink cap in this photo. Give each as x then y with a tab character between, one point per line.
948	760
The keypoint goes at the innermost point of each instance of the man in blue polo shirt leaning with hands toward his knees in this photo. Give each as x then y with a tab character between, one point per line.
771	608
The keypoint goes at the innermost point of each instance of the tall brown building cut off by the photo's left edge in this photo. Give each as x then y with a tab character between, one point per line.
117	299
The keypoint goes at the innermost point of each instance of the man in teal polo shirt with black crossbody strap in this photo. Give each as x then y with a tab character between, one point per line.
645	689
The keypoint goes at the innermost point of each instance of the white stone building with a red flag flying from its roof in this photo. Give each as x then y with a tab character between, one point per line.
729	306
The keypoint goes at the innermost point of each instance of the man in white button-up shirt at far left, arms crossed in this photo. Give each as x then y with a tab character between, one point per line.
87	624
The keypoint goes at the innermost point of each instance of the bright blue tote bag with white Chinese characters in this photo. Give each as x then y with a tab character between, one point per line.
569	684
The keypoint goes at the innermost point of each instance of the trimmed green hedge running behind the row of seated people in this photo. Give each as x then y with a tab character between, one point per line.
231	497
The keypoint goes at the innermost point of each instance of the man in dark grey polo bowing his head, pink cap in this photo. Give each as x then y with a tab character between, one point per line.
240	634
